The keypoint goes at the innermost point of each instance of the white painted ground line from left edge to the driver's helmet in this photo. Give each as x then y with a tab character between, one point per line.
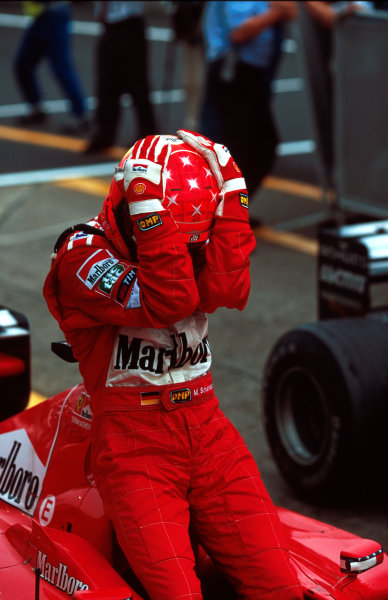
51	175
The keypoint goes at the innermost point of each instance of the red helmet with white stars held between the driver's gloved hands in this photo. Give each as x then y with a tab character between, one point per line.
191	195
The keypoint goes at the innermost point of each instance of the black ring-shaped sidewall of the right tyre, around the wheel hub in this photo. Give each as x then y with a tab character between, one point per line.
300	351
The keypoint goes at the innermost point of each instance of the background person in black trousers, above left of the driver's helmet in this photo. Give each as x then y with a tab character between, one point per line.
121	67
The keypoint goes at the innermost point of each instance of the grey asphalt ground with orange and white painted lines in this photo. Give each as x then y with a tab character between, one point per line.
35	210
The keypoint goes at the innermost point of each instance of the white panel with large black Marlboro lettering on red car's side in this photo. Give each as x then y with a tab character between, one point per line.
21	471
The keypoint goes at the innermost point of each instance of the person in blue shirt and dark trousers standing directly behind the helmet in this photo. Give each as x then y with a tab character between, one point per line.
243	47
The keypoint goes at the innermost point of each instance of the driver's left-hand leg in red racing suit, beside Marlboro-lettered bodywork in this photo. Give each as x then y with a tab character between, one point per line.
141	470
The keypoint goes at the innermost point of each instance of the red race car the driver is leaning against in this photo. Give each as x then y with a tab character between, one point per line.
56	542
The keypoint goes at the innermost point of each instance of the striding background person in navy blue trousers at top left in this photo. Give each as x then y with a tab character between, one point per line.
48	36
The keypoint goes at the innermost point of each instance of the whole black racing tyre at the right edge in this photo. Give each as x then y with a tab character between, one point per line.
325	401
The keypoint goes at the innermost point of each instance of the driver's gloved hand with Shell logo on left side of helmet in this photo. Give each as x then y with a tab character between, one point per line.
140	174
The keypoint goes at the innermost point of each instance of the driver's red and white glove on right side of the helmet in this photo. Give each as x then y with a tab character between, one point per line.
233	193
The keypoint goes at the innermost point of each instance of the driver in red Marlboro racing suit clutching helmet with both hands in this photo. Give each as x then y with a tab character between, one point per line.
131	290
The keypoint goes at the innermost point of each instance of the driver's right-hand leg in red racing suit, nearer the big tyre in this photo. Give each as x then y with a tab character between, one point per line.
236	520
